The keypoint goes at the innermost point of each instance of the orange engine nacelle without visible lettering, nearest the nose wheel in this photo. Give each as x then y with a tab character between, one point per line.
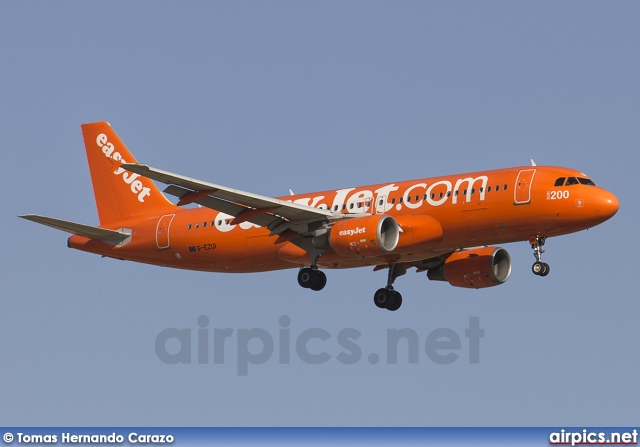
474	269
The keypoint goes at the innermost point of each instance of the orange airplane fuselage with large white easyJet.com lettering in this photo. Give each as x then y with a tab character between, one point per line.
474	209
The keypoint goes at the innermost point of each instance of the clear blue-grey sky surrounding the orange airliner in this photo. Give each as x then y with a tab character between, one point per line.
311	96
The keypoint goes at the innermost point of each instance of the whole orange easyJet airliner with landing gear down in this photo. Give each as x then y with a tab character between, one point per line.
445	226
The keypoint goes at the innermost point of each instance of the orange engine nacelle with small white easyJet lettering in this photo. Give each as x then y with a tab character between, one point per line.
364	236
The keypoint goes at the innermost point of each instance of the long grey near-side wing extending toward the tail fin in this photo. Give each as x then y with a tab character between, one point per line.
274	214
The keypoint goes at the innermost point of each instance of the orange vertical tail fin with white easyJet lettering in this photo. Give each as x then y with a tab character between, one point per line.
119	193
